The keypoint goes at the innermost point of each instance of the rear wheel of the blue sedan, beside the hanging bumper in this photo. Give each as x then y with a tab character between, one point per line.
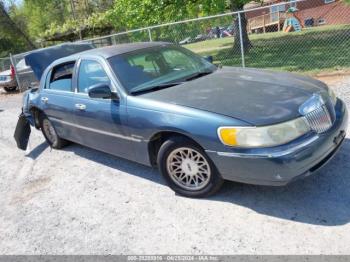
50	133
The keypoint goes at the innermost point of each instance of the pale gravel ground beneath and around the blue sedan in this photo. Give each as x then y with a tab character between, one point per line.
81	201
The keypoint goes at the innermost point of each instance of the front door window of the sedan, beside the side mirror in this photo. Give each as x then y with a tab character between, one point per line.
91	73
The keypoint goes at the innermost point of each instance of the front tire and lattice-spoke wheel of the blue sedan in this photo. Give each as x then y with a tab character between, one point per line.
187	169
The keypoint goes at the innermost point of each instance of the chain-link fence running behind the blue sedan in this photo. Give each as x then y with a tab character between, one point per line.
299	36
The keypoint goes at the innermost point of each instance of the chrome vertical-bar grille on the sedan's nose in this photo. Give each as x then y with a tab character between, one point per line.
320	119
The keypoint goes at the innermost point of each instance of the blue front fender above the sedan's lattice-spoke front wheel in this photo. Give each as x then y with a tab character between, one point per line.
146	119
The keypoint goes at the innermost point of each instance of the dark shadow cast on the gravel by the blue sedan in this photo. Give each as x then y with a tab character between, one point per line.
321	199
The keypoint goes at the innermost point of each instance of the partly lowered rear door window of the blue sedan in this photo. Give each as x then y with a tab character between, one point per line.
61	77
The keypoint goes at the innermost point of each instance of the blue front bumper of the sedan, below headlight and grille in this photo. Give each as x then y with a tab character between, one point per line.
281	165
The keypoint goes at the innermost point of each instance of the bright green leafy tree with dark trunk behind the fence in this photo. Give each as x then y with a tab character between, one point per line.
131	14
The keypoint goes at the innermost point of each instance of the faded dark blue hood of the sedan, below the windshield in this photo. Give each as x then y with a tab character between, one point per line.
258	97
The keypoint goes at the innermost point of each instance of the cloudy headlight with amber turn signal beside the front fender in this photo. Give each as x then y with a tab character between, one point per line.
266	136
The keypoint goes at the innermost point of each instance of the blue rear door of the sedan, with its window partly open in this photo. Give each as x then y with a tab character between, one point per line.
57	100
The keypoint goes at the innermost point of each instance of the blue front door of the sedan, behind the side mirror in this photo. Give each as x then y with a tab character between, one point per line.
100	121
